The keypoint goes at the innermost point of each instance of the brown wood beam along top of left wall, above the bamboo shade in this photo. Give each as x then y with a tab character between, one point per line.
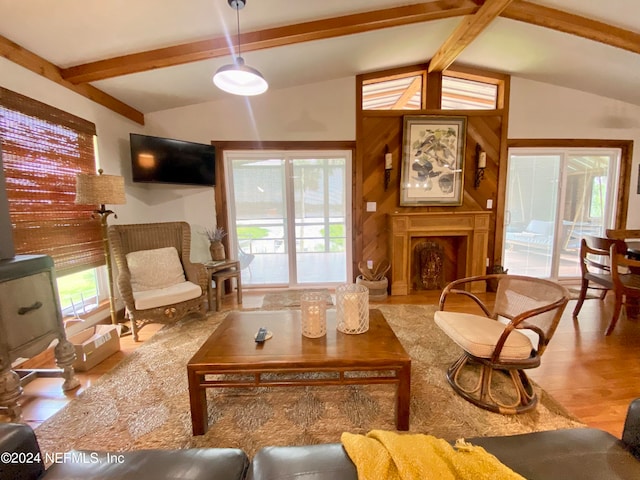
29	60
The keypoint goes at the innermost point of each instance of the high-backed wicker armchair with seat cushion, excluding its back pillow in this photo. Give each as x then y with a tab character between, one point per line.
149	237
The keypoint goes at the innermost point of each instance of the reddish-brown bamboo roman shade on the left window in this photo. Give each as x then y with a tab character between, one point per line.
43	149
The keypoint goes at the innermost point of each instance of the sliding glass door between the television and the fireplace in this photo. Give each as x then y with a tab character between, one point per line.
290	216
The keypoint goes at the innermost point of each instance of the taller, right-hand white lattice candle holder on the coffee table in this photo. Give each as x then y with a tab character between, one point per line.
352	308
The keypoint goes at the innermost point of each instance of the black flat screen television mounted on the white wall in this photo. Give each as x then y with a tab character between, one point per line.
163	160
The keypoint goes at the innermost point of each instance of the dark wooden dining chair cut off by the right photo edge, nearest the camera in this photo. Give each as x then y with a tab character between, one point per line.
626	286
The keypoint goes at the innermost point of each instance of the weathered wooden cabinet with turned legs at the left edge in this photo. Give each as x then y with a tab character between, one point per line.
30	320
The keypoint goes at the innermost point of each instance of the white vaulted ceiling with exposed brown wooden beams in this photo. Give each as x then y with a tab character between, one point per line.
141	56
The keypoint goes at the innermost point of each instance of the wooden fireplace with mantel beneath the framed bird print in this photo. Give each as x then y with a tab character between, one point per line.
459	240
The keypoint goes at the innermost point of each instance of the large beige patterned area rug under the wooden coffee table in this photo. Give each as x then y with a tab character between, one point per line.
144	401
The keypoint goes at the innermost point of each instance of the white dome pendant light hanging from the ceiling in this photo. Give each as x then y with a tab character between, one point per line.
238	78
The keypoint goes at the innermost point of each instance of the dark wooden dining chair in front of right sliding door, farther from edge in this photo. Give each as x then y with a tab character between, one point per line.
595	267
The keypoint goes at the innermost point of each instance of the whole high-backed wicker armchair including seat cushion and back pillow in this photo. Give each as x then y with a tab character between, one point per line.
157	281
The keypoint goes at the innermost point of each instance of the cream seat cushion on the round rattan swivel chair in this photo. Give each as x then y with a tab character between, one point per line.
478	335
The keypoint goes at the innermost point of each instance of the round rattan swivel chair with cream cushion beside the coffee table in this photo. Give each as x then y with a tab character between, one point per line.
499	345
